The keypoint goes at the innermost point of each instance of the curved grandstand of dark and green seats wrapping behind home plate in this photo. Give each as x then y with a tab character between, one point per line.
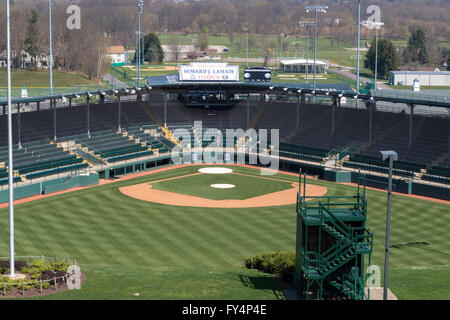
390	131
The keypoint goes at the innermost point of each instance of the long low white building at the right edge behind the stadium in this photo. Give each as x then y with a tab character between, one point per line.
426	78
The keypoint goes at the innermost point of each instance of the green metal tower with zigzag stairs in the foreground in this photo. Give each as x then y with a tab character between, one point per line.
332	254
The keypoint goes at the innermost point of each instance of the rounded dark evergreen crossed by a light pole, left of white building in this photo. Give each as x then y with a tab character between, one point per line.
388	59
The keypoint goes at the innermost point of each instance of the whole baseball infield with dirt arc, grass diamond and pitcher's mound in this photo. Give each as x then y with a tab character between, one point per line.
216	187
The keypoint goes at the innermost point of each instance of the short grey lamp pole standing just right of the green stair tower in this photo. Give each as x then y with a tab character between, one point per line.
392	156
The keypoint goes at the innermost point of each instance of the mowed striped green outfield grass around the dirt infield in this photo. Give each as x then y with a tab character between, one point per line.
127	246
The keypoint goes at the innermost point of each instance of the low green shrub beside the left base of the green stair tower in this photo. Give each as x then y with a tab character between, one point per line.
281	263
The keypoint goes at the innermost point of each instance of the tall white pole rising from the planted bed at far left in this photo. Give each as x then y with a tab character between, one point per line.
10	146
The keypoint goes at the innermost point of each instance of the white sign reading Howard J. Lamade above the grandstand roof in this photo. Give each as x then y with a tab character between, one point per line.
209	72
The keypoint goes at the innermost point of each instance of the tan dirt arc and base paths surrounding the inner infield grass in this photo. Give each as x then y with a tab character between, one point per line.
145	192
